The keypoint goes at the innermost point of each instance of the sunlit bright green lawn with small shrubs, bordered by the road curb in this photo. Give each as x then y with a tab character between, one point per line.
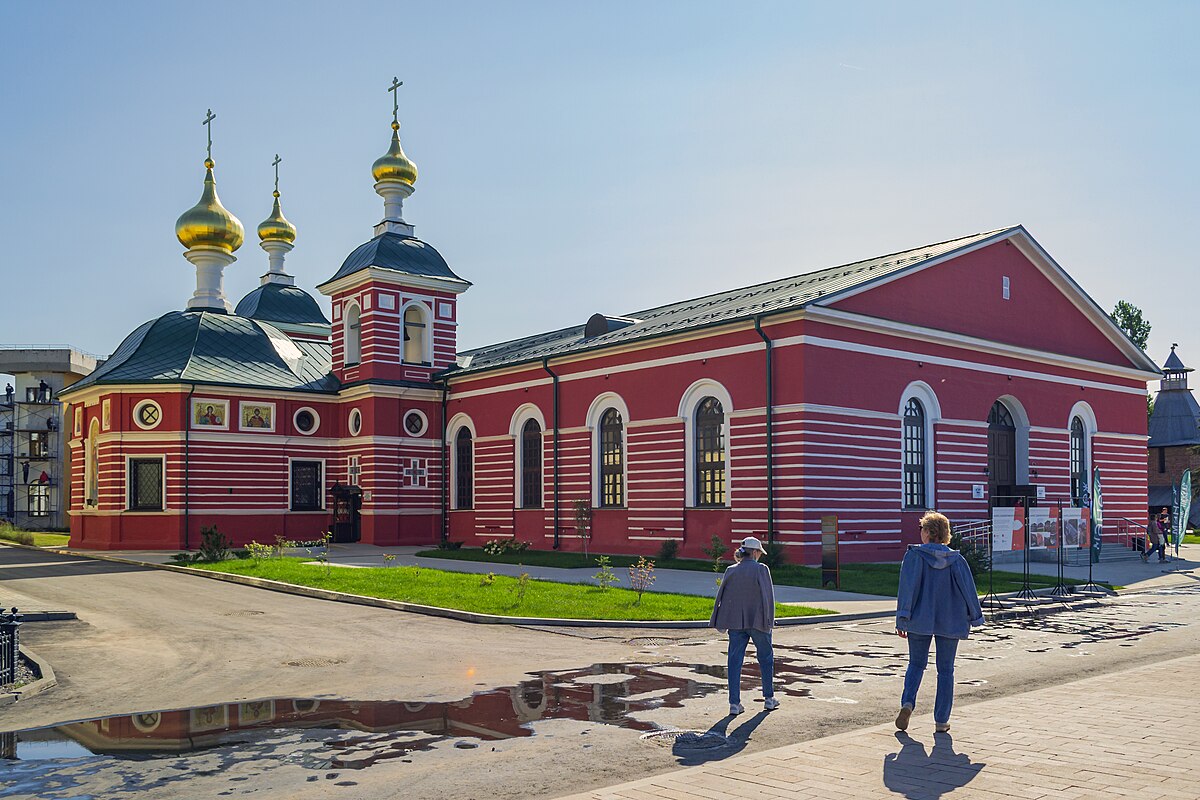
467	592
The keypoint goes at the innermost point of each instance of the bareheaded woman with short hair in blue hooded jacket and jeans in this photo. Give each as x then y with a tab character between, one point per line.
938	603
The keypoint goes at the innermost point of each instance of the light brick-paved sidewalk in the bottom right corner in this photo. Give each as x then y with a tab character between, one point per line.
1121	736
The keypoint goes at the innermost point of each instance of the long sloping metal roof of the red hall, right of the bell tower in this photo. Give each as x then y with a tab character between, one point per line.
717	309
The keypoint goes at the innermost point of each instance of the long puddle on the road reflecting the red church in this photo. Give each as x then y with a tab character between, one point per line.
608	694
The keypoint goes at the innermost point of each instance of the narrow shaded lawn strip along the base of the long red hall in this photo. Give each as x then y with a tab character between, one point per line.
866	579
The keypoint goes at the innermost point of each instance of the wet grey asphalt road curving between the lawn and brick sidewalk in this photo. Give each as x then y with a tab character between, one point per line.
149	641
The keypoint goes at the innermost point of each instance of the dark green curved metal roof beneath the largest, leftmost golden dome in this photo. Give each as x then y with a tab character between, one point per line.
215	350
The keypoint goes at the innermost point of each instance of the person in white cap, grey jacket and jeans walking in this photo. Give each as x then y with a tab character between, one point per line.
746	607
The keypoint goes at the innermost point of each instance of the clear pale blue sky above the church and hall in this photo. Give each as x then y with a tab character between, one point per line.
596	158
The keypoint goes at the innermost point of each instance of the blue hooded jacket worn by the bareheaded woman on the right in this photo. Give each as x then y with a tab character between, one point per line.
938	594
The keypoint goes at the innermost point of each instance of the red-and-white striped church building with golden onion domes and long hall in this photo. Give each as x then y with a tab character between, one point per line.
953	376
